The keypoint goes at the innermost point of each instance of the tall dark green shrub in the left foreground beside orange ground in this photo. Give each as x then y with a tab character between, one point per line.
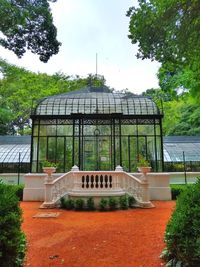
12	239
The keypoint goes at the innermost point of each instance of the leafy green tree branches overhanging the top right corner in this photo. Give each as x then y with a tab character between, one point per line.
168	31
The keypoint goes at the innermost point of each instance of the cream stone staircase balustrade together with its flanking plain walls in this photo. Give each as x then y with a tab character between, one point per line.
97	184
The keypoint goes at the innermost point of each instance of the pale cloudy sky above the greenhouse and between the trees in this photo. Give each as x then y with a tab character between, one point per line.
90	27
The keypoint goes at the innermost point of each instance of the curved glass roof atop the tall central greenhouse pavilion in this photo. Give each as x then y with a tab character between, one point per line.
96	100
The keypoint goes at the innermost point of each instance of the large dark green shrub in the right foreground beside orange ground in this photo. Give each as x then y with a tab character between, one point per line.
183	230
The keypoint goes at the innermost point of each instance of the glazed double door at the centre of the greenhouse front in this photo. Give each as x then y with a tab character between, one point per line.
96	153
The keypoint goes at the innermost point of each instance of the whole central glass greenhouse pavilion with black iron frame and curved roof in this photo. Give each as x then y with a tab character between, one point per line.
96	129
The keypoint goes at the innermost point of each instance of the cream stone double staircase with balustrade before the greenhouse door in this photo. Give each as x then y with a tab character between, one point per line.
96	184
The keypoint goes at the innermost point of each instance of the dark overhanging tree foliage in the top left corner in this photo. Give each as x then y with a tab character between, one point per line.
28	24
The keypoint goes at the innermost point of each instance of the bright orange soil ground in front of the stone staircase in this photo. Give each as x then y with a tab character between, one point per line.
96	239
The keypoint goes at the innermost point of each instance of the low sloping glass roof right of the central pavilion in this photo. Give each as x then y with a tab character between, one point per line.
174	146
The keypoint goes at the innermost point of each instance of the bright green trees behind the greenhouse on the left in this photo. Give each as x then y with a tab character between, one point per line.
20	91
